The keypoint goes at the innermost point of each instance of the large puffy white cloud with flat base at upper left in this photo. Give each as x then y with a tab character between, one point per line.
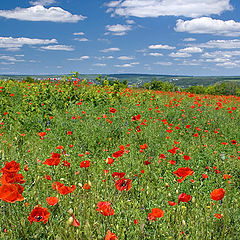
40	13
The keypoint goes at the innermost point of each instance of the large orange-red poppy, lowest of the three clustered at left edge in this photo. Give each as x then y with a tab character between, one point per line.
11	192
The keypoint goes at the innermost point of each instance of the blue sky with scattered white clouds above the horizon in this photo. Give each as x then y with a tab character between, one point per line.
175	37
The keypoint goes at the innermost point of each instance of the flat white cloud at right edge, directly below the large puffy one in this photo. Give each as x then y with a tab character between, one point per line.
223	44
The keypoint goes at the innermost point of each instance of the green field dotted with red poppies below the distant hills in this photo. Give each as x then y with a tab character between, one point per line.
82	161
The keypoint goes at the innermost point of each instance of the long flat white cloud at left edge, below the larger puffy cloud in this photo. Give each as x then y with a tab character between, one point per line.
16	43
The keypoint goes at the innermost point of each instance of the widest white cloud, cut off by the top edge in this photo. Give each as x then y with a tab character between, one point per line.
156	8
